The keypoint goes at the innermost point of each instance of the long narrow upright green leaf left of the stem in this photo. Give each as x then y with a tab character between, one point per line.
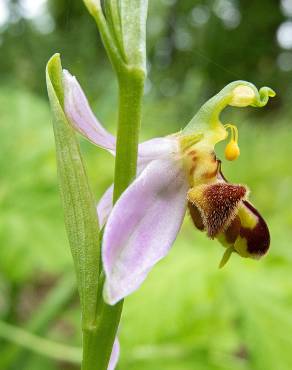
78	203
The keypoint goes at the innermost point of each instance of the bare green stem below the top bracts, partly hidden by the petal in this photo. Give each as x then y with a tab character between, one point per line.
98	339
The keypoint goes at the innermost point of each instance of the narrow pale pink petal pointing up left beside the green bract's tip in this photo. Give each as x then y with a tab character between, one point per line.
81	116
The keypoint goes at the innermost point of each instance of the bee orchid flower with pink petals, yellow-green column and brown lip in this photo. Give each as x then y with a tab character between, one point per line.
175	173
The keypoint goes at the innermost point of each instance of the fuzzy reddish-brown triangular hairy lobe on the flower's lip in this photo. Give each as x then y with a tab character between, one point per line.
218	204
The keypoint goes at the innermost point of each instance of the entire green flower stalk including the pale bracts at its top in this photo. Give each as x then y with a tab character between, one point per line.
122	28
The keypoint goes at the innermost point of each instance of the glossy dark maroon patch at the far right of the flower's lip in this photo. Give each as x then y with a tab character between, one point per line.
257	238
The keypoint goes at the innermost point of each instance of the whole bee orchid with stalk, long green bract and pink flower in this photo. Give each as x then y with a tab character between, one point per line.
138	218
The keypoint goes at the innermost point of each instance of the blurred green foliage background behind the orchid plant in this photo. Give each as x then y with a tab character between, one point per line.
188	314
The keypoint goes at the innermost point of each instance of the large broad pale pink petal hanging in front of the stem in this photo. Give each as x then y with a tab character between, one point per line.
142	227
